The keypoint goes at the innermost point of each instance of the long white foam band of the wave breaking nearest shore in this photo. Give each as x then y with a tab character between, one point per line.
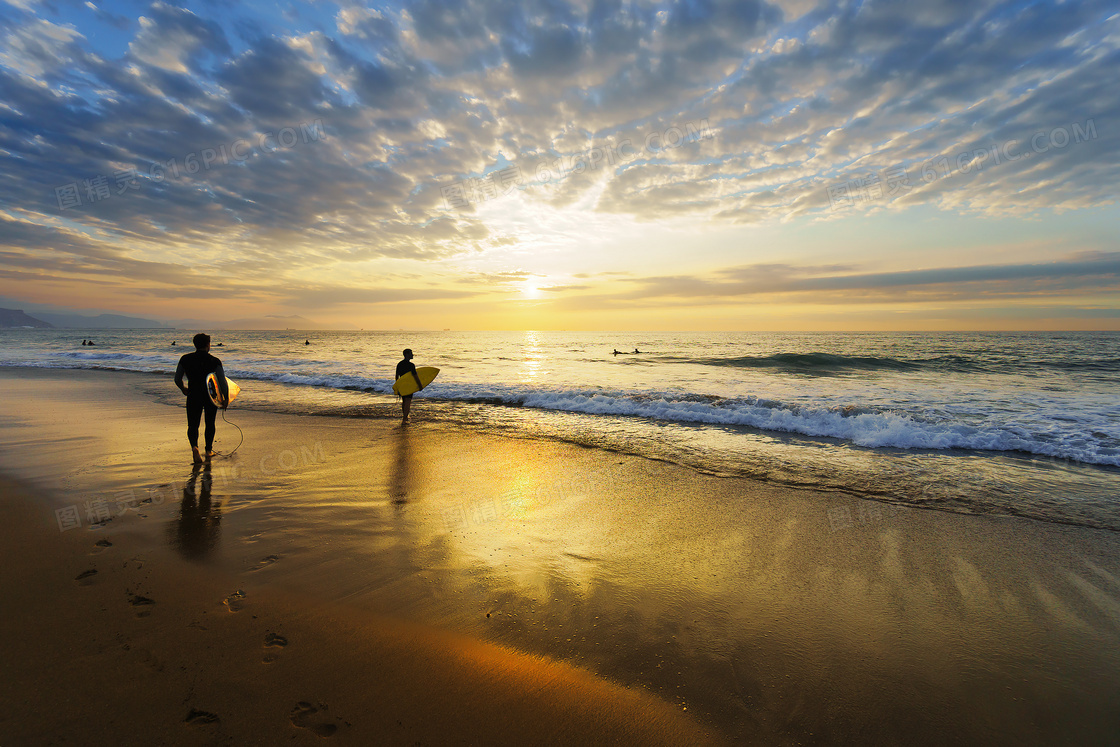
1065	427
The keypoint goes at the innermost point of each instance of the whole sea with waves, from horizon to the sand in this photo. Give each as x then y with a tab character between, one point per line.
1007	424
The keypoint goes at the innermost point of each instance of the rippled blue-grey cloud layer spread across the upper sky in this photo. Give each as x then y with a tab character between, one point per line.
409	98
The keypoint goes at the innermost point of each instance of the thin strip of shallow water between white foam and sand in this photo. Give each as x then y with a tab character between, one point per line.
972	482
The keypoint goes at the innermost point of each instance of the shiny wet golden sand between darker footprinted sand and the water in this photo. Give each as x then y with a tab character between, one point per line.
770	614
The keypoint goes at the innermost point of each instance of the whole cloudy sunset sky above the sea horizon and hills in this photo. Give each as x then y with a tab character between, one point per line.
549	165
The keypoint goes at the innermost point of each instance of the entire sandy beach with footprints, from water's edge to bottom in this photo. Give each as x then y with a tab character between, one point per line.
353	580
